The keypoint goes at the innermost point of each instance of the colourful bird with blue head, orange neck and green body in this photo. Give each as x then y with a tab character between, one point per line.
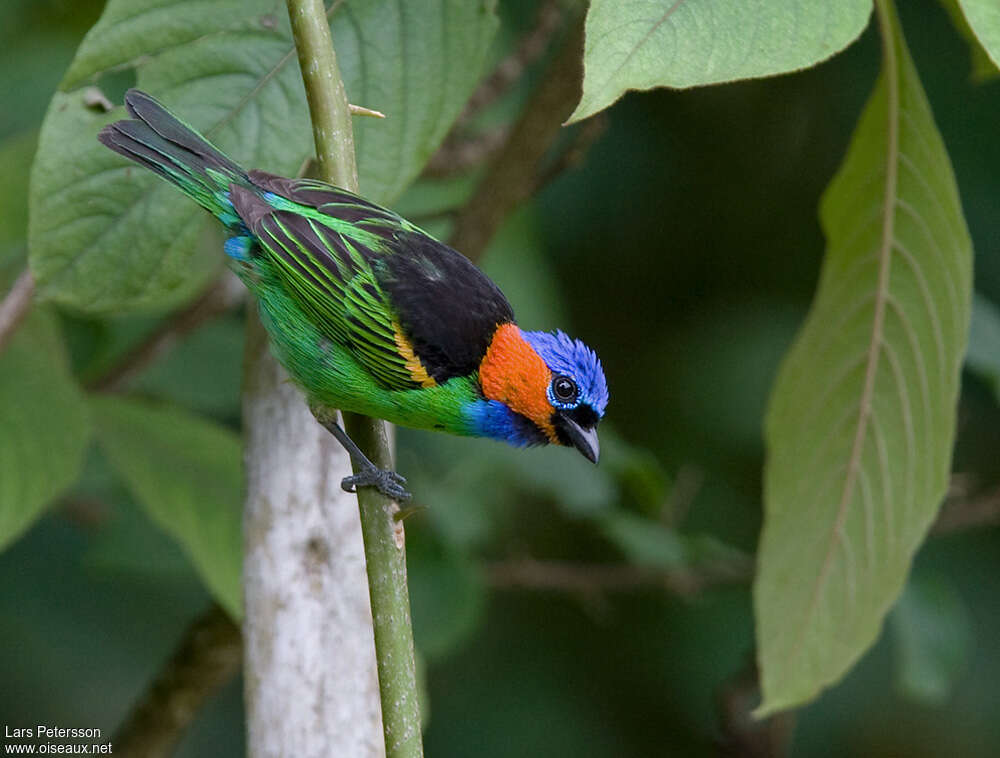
370	314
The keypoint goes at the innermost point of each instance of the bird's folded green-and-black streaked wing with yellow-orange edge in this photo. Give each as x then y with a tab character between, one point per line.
326	264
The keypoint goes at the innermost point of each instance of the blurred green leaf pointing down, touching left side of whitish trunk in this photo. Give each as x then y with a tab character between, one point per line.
188	475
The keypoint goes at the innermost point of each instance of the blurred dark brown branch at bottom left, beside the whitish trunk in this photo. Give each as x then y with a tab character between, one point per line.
205	661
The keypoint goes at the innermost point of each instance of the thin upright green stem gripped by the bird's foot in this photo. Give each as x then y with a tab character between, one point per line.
383	534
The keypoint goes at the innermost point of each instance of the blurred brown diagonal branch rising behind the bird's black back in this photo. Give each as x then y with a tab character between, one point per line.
513	174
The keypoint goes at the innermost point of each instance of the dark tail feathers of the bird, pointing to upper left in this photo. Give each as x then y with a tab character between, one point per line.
163	143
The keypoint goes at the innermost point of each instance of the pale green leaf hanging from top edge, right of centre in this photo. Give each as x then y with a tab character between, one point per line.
641	44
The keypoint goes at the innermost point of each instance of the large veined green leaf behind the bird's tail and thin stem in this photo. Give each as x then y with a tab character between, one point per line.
107	236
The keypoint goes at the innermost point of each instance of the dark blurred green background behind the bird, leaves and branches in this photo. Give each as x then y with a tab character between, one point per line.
685	249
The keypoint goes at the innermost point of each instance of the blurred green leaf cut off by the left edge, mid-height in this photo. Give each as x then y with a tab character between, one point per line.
44	427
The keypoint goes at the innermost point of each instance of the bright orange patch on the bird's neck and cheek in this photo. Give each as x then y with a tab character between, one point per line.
513	373
